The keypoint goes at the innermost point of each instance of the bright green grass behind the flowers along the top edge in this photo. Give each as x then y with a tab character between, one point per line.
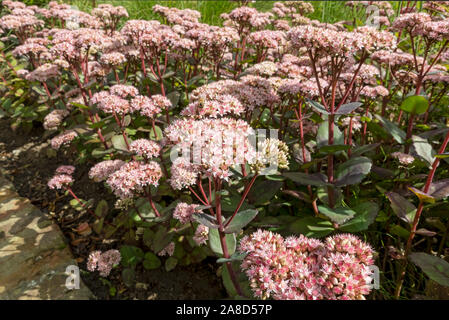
325	11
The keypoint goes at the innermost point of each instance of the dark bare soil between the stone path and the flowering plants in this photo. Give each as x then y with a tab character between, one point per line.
24	158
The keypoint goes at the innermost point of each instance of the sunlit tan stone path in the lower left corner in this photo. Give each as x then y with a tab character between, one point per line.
33	253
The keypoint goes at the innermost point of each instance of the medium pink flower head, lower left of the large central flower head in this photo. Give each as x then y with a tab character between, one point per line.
133	177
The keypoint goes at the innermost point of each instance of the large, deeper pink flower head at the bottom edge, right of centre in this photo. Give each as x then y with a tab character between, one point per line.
300	268
